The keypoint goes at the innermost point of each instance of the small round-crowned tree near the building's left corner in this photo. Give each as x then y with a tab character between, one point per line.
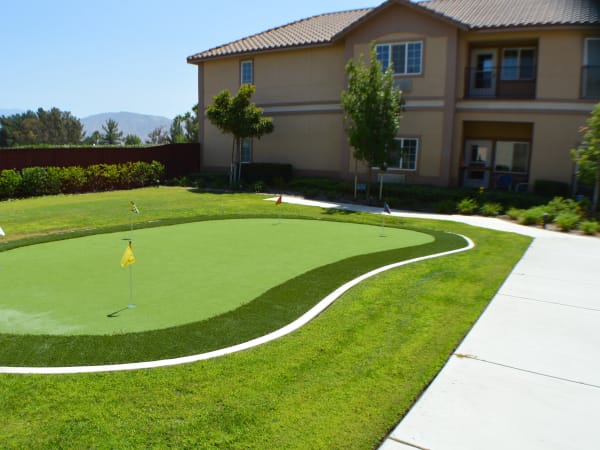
235	115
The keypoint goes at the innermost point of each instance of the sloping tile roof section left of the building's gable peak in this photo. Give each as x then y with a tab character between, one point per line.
312	31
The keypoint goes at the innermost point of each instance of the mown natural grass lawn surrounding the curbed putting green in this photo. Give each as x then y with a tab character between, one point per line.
341	382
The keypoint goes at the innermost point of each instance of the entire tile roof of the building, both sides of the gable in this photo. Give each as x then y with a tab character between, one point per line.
474	14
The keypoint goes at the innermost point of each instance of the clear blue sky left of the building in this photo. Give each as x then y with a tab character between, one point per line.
94	56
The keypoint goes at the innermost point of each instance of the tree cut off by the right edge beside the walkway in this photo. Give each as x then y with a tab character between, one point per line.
587	156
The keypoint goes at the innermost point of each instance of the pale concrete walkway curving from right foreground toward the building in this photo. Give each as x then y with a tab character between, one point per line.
527	376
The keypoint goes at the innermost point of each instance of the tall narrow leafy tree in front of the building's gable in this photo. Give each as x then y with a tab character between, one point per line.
372	107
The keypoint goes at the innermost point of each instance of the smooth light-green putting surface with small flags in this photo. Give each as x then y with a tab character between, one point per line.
183	273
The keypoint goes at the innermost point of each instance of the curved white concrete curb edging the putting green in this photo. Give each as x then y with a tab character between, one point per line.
293	326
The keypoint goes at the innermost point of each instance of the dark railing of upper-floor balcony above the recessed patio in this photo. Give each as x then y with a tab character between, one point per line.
500	82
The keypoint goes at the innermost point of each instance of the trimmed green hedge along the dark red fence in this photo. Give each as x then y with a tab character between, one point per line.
37	181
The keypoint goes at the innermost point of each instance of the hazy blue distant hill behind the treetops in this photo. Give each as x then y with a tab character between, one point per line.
129	123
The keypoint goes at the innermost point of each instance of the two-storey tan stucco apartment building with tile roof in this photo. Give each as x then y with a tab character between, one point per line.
496	90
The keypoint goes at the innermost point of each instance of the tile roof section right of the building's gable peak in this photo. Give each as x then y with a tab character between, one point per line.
516	13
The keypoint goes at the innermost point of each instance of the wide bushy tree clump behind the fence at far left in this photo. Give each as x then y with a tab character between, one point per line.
53	127
